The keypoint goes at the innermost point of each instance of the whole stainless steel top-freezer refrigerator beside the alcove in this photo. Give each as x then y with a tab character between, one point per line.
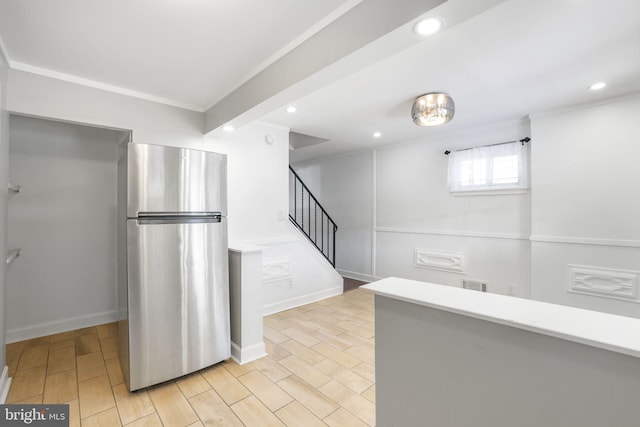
173	299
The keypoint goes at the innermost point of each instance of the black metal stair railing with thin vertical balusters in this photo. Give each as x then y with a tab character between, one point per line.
311	218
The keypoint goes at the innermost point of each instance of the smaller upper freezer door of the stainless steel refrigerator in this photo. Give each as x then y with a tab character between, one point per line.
176	180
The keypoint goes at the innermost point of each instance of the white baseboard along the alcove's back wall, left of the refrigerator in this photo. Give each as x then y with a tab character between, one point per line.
44	329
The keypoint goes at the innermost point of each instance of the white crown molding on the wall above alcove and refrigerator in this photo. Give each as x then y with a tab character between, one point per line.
70	78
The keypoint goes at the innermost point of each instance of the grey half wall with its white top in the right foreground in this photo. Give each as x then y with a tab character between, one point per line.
459	369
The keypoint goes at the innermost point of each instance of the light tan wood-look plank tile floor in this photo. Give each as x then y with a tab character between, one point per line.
319	371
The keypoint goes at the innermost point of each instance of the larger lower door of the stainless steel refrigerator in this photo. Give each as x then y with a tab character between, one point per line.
178	299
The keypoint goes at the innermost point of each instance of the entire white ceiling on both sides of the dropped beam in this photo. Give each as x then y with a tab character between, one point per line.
500	59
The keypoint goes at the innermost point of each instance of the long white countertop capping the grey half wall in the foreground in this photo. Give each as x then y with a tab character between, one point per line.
608	331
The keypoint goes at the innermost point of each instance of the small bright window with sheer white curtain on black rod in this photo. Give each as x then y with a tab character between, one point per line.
501	167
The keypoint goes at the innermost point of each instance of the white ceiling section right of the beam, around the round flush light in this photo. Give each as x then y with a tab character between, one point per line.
518	58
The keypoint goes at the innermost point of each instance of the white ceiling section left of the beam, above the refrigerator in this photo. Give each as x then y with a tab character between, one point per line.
189	53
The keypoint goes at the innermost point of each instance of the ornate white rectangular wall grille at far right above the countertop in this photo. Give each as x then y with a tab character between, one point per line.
603	282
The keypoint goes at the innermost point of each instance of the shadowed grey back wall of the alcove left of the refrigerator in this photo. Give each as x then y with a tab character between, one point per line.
64	221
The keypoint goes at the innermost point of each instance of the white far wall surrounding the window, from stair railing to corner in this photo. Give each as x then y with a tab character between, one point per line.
404	187
